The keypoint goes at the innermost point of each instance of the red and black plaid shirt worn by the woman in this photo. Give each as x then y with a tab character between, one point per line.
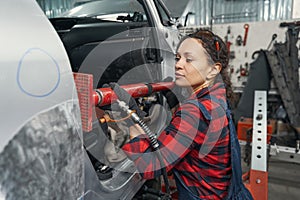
195	143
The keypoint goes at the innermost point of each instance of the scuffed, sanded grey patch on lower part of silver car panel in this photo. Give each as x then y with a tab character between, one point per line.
44	160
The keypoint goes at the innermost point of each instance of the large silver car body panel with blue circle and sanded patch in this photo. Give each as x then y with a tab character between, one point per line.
41	153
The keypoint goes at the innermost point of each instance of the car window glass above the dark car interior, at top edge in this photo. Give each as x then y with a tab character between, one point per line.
113	10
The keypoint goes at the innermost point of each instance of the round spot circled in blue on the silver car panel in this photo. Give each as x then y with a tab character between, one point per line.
38	73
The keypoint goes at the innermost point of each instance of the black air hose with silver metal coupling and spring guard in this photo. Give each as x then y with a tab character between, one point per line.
153	140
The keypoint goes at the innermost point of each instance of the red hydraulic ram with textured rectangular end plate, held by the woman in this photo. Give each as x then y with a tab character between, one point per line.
89	97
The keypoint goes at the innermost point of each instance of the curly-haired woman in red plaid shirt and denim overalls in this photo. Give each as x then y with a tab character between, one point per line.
199	145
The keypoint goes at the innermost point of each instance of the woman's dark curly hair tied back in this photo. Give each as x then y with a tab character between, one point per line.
217	52
